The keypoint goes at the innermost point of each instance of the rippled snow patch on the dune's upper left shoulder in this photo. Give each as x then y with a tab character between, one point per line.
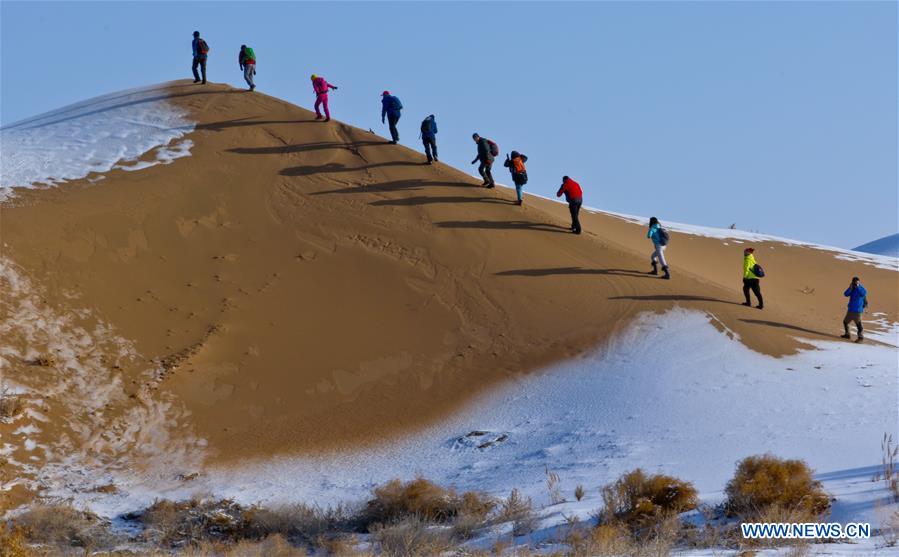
94	136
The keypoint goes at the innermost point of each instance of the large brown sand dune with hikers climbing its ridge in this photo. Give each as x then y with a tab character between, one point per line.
294	286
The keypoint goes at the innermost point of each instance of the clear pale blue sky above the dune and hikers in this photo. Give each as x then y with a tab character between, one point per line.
780	117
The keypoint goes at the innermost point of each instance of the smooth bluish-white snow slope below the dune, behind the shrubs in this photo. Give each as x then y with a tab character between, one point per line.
673	395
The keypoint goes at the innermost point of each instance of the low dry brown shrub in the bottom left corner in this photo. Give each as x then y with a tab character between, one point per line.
60	525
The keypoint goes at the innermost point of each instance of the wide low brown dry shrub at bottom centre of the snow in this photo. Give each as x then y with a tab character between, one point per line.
422	499
